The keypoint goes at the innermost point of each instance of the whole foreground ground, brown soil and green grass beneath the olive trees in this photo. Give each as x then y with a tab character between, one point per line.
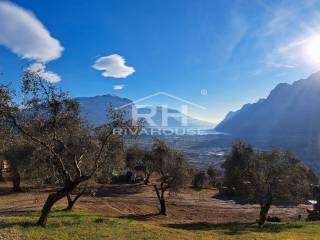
129	212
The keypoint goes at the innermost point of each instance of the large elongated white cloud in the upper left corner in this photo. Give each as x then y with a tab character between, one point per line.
25	35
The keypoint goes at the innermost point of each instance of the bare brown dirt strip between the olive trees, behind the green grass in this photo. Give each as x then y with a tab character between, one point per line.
139	202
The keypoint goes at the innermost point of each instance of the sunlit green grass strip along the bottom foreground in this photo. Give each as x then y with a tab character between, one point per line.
83	225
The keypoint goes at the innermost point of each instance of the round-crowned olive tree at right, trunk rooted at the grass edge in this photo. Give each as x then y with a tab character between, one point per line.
276	175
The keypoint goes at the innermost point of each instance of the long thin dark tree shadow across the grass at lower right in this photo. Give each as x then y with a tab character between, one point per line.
236	228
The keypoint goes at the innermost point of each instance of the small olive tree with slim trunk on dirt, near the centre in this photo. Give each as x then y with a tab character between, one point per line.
173	170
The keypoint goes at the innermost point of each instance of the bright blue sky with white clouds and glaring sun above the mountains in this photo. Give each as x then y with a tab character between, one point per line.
217	54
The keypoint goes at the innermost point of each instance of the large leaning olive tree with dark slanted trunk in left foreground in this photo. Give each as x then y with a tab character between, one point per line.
51	119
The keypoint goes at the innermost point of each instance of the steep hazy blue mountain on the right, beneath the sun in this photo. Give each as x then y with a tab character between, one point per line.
288	118
